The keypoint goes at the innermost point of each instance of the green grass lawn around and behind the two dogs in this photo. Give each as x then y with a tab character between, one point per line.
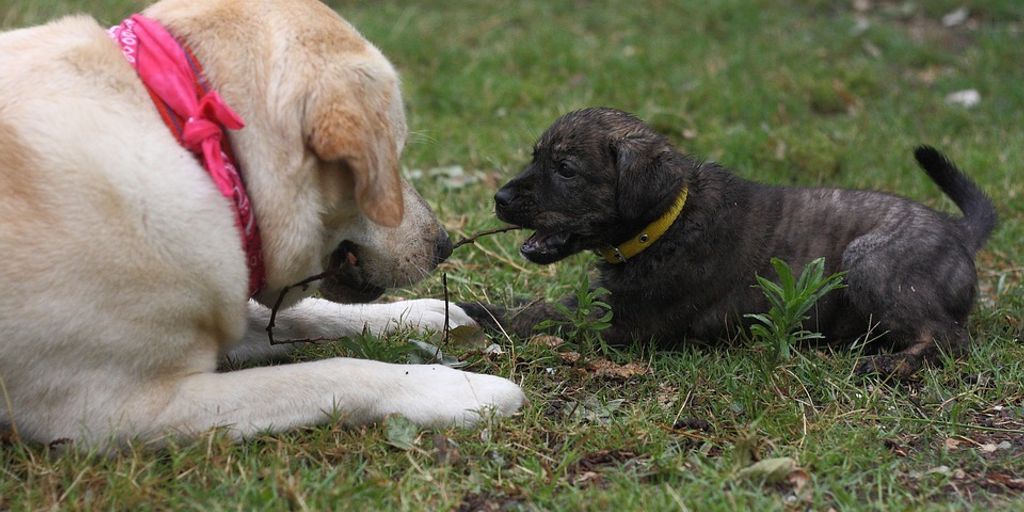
804	93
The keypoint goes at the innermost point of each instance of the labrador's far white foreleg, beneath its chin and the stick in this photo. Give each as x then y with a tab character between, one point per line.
322	319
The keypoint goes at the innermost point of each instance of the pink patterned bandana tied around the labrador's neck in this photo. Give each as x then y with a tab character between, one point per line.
197	117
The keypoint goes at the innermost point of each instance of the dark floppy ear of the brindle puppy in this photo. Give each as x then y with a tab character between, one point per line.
642	182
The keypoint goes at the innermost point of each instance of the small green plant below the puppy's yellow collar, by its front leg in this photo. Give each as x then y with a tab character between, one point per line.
584	324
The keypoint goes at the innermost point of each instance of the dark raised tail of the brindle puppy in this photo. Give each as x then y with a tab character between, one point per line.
979	215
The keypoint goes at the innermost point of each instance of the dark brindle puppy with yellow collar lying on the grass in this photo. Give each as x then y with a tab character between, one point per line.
602	180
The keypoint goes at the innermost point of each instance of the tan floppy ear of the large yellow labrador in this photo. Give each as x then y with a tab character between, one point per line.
365	142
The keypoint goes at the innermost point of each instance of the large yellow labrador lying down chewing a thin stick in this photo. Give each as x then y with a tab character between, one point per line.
123	281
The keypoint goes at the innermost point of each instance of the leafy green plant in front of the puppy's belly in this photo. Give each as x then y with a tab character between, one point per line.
782	327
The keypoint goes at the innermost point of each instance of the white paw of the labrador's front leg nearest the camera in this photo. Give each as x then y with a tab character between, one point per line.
438	396
